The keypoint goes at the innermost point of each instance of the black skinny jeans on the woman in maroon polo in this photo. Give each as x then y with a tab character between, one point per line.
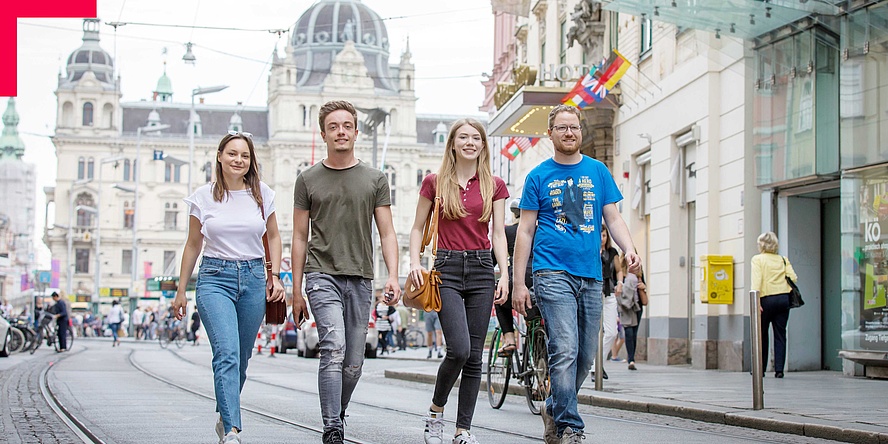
467	286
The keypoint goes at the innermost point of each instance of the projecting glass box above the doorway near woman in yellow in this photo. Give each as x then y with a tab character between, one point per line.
796	130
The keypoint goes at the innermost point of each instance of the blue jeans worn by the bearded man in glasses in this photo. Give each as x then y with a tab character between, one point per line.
571	308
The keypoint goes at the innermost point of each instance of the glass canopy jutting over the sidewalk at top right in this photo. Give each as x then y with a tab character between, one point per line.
736	18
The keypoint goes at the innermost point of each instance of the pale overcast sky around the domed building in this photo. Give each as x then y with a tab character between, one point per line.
451	43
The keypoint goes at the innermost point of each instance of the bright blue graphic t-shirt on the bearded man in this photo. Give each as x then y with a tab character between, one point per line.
569	200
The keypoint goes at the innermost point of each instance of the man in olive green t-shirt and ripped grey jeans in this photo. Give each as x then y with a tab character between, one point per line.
341	196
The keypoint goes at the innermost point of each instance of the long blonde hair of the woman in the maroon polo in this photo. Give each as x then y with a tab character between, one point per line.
448	184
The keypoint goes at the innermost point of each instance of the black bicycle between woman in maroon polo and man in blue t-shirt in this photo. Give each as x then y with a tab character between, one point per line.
528	364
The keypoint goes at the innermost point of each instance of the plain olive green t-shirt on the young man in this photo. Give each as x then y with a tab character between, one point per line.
340	206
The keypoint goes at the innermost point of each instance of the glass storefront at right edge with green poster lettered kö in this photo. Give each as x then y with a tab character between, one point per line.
863	115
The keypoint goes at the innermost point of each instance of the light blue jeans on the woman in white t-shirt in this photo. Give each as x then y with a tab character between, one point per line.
231	301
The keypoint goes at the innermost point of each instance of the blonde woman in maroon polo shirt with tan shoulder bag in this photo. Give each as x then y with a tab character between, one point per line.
472	198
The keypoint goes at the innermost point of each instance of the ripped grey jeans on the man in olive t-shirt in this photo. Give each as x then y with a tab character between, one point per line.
341	309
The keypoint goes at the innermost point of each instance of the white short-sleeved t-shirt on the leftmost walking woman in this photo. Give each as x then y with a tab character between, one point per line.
233	228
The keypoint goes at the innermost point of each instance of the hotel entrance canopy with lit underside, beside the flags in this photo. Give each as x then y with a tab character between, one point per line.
527	112
